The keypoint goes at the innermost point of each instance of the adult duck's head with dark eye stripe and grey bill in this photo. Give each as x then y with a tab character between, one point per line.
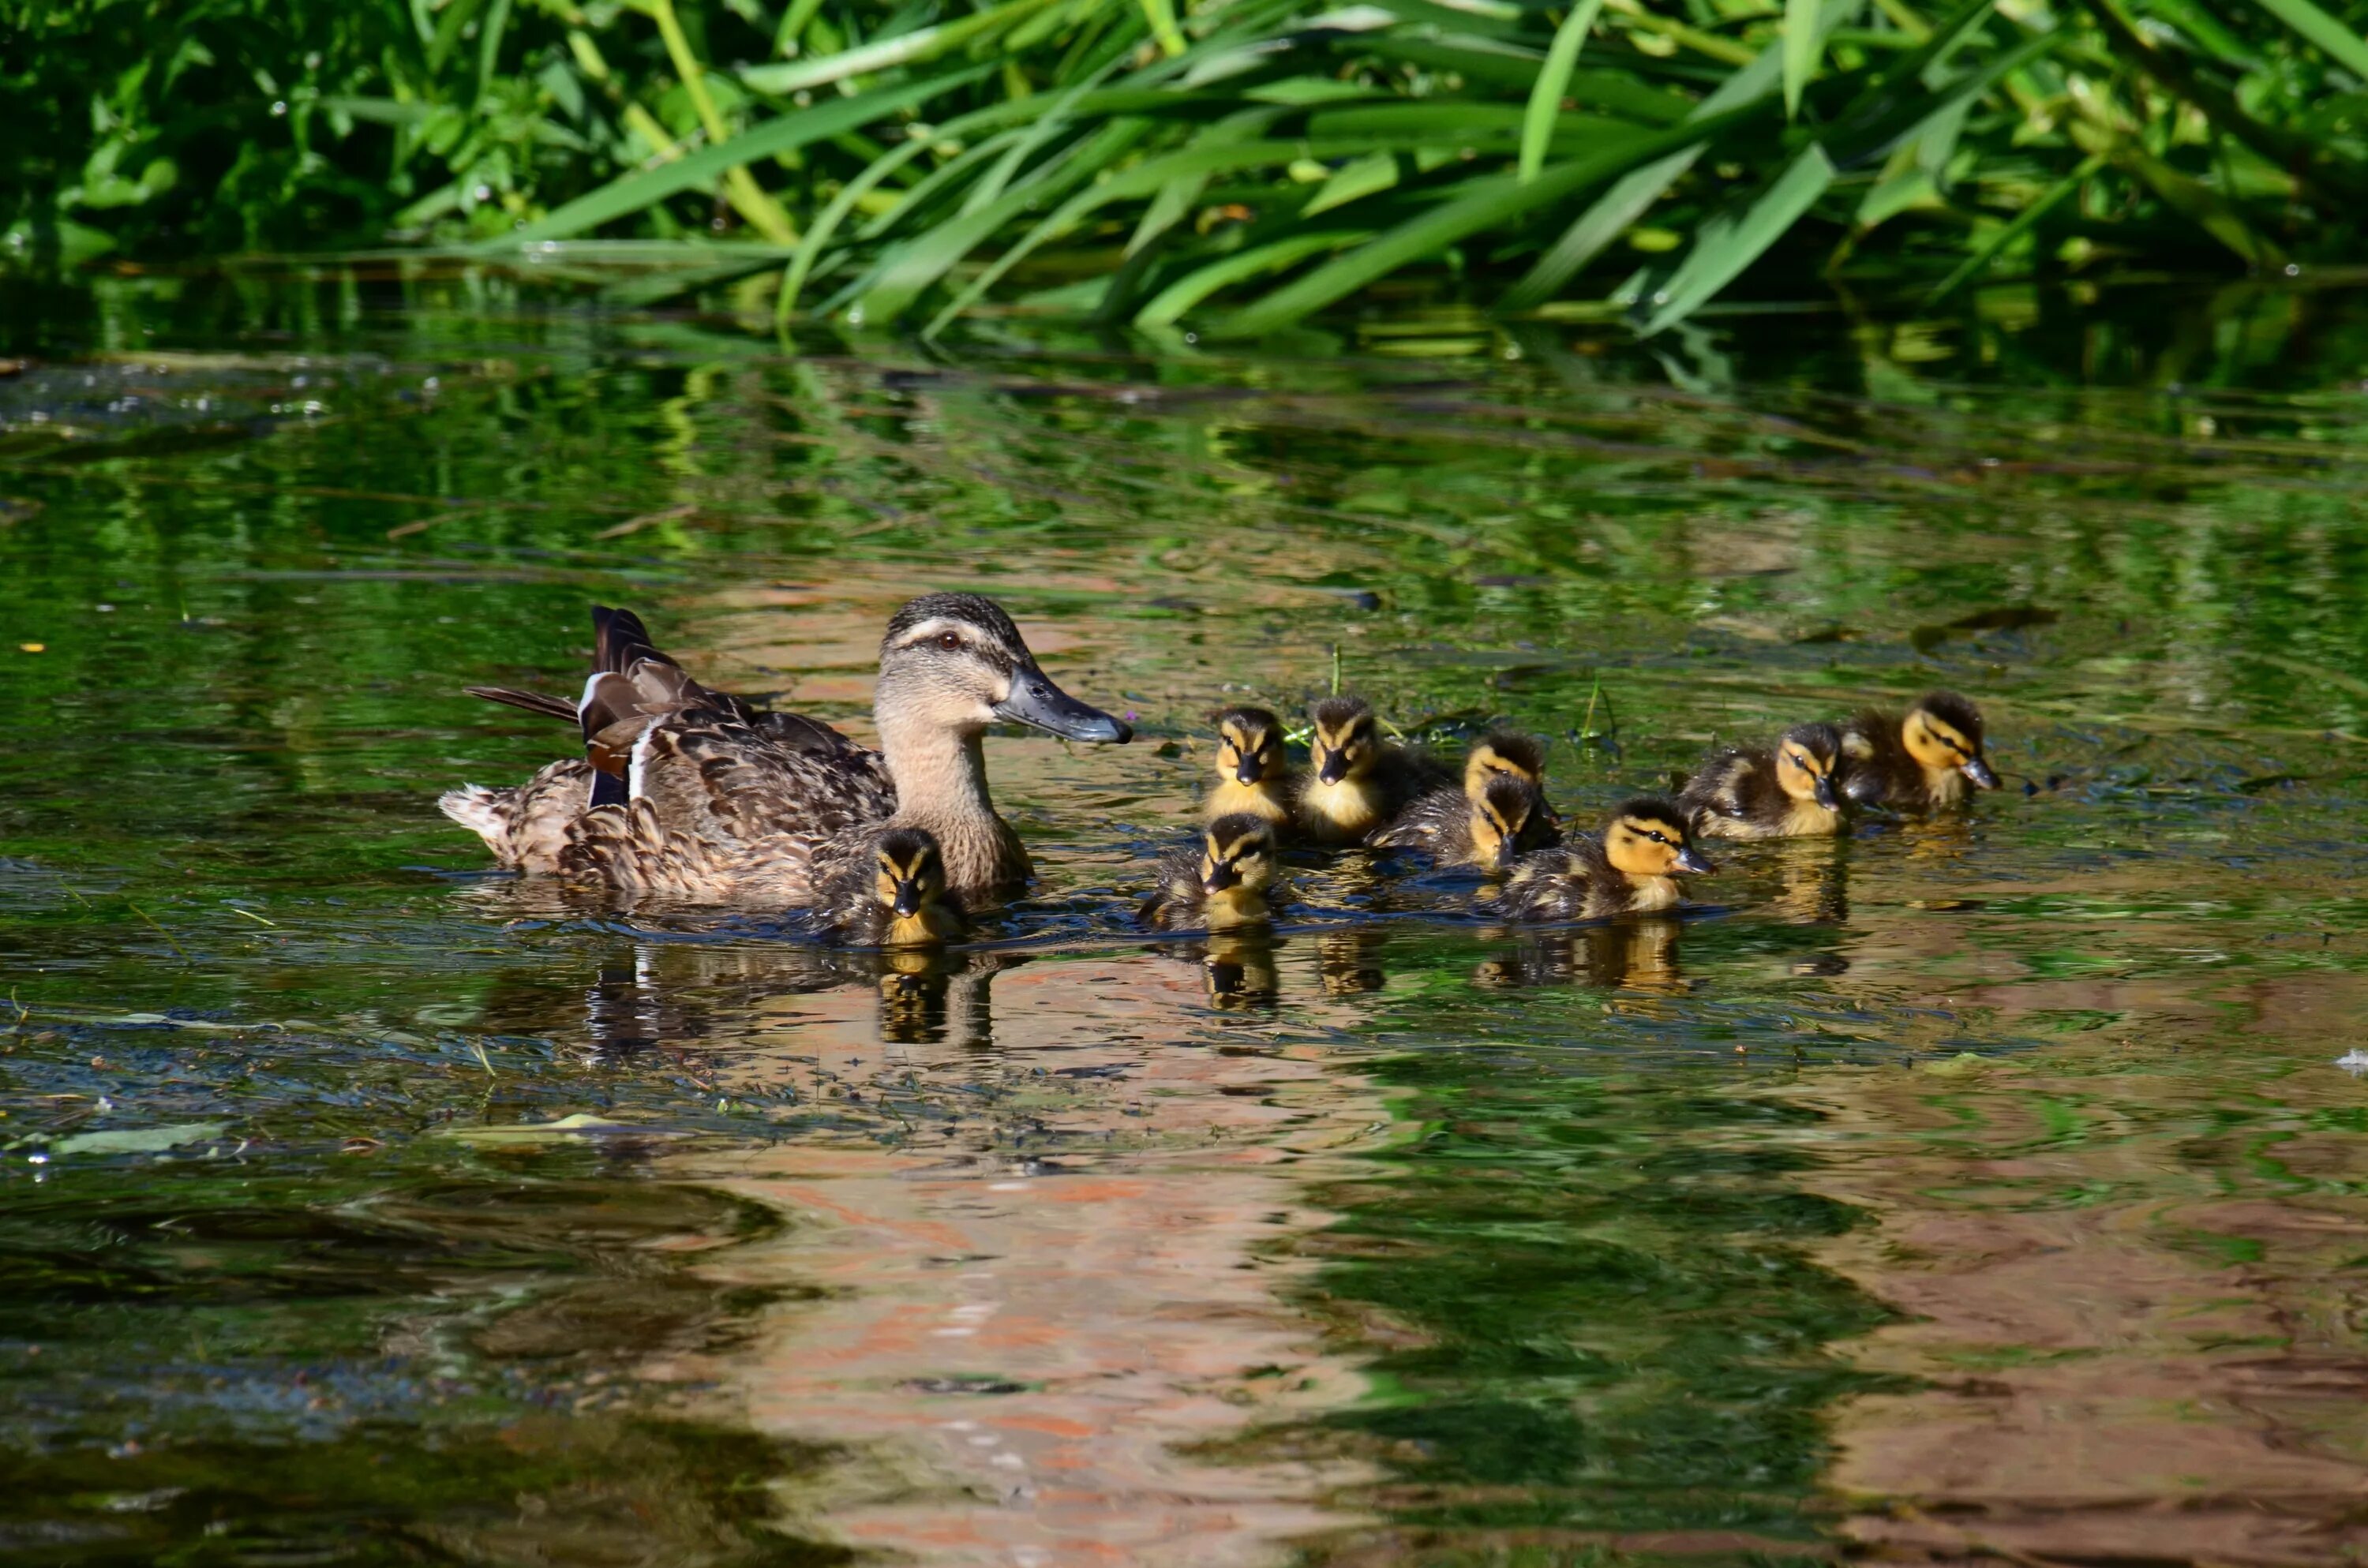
955	662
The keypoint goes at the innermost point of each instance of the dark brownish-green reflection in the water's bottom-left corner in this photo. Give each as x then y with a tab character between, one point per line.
392	1365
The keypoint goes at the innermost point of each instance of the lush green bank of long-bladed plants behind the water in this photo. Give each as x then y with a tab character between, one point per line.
1223	165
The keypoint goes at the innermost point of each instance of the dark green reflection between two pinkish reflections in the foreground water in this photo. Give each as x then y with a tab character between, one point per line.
1592	1297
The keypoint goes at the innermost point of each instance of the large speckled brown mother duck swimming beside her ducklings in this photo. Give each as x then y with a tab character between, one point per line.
690	792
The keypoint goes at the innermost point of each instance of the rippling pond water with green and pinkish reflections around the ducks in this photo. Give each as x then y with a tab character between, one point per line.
1983	1188
